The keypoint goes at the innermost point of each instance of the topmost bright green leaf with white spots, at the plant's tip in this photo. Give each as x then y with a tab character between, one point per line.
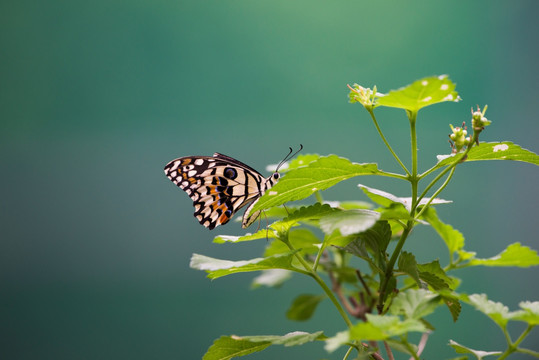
421	93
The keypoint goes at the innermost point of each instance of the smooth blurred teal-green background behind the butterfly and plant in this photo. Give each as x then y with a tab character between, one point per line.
96	97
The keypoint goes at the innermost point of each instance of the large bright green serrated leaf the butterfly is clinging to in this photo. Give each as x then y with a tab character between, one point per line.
318	175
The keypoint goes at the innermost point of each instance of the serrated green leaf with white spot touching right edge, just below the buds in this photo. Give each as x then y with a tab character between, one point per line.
505	150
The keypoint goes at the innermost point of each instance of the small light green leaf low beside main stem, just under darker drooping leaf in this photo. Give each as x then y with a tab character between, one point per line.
414	303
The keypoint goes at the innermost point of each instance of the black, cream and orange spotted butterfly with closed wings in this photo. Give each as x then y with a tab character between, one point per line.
220	185
